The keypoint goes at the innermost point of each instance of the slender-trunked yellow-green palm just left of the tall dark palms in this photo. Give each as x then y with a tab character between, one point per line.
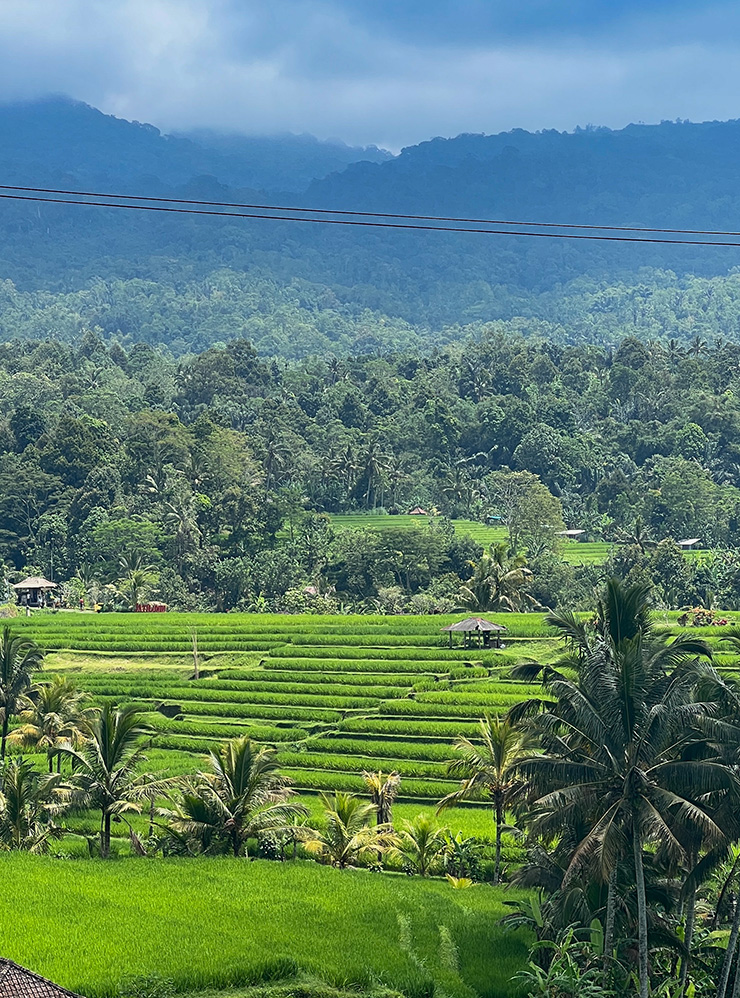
490	770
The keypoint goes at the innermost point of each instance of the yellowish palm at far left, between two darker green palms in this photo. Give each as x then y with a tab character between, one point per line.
53	713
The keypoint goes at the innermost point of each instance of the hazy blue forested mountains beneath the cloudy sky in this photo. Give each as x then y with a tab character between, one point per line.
189	281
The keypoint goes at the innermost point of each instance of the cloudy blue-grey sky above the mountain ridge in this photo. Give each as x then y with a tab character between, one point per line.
392	72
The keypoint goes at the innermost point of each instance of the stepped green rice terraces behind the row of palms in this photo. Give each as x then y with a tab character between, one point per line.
337	695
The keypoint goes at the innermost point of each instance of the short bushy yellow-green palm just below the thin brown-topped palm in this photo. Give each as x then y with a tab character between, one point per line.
348	836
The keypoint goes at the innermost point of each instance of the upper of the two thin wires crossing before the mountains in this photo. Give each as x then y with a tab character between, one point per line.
367	214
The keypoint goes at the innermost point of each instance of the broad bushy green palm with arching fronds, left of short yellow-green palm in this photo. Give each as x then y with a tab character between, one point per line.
243	796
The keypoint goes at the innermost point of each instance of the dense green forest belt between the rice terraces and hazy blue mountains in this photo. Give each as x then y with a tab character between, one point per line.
206	482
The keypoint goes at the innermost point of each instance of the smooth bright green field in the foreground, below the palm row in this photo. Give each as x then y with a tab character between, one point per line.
219	923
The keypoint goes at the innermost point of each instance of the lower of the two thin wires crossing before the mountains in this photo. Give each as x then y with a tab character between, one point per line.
365	224
